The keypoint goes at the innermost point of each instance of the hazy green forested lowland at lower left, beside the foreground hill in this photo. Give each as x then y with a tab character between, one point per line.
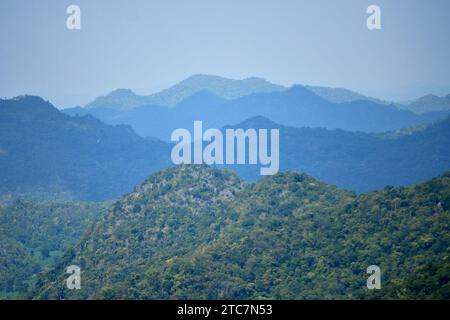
34	236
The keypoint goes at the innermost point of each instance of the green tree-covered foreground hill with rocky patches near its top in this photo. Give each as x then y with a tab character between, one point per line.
195	232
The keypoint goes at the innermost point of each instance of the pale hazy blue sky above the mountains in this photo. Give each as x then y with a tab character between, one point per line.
149	45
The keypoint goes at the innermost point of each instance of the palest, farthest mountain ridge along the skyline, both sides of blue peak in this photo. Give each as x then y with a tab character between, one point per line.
229	89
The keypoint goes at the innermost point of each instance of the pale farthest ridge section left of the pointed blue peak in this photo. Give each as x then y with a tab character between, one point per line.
125	99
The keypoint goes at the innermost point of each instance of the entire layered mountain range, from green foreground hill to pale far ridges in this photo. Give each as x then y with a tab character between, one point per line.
376	193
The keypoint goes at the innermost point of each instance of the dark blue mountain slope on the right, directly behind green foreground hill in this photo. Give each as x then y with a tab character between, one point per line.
355	160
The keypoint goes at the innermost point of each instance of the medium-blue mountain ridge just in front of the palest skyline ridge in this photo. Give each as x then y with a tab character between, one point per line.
296	106
